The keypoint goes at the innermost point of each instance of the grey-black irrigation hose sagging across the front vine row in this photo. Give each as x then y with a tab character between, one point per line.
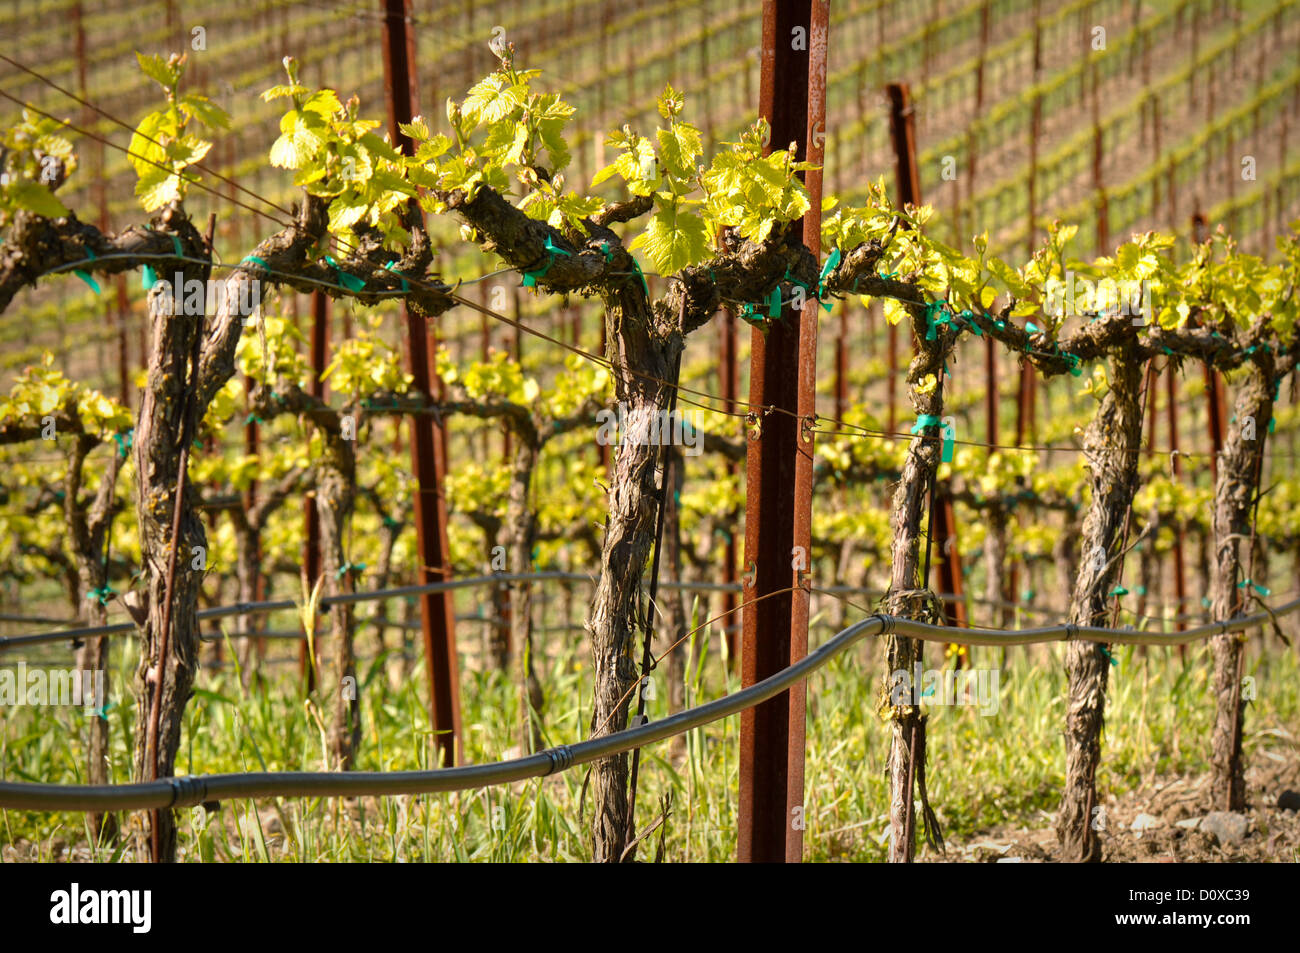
185	792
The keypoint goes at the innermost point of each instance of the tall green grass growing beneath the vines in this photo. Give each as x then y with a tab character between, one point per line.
983	770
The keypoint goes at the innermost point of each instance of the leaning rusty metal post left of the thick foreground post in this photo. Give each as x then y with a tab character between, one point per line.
427	439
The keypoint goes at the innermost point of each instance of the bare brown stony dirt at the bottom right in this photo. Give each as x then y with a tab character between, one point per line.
1169	833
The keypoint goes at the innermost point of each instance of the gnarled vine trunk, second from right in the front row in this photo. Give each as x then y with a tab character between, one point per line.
1111	447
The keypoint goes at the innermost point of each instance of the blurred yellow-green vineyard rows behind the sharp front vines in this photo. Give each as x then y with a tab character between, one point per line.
1021	119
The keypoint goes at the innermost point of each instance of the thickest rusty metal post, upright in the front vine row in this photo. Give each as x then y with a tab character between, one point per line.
762	821
